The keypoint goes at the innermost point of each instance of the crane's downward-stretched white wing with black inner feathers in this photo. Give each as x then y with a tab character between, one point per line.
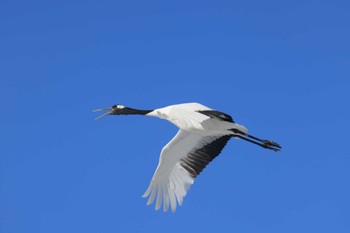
181	160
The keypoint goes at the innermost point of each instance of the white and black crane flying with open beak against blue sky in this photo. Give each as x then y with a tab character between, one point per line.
203	133
